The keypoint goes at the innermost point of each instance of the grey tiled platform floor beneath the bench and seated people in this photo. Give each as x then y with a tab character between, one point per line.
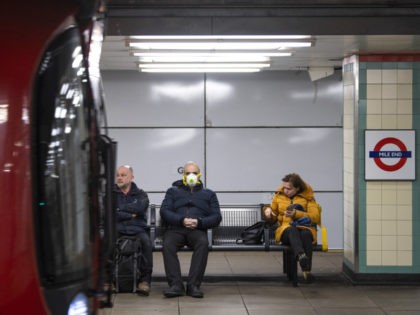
231	288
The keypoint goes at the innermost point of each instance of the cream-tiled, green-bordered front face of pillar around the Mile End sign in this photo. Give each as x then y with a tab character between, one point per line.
386	213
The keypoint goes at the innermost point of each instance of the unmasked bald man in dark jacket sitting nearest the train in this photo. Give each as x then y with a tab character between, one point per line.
131	205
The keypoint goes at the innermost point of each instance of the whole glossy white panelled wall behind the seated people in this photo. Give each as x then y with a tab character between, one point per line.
245	130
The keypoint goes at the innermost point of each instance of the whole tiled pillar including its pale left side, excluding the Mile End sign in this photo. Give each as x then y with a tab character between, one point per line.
381	218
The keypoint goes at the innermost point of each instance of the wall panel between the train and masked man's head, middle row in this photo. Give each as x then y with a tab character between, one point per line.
156	154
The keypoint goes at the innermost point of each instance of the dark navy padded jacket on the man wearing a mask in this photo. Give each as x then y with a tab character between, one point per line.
200	203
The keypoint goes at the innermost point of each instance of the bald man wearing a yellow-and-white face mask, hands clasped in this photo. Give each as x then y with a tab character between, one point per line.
188	210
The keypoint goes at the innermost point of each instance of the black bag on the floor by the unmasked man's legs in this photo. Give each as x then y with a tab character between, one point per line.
127	264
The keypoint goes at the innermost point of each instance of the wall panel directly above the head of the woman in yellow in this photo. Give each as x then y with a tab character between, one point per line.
256	159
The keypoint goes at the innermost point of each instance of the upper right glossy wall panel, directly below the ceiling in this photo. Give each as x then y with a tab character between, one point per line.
273	98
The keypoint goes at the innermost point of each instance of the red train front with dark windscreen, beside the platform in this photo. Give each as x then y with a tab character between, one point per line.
55	166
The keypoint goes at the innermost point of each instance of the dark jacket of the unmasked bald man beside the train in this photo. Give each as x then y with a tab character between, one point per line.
135	203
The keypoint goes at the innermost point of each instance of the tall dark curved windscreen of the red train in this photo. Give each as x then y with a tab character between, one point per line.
61	145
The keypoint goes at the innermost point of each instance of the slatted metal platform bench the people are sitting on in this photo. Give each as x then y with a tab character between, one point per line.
224	237
